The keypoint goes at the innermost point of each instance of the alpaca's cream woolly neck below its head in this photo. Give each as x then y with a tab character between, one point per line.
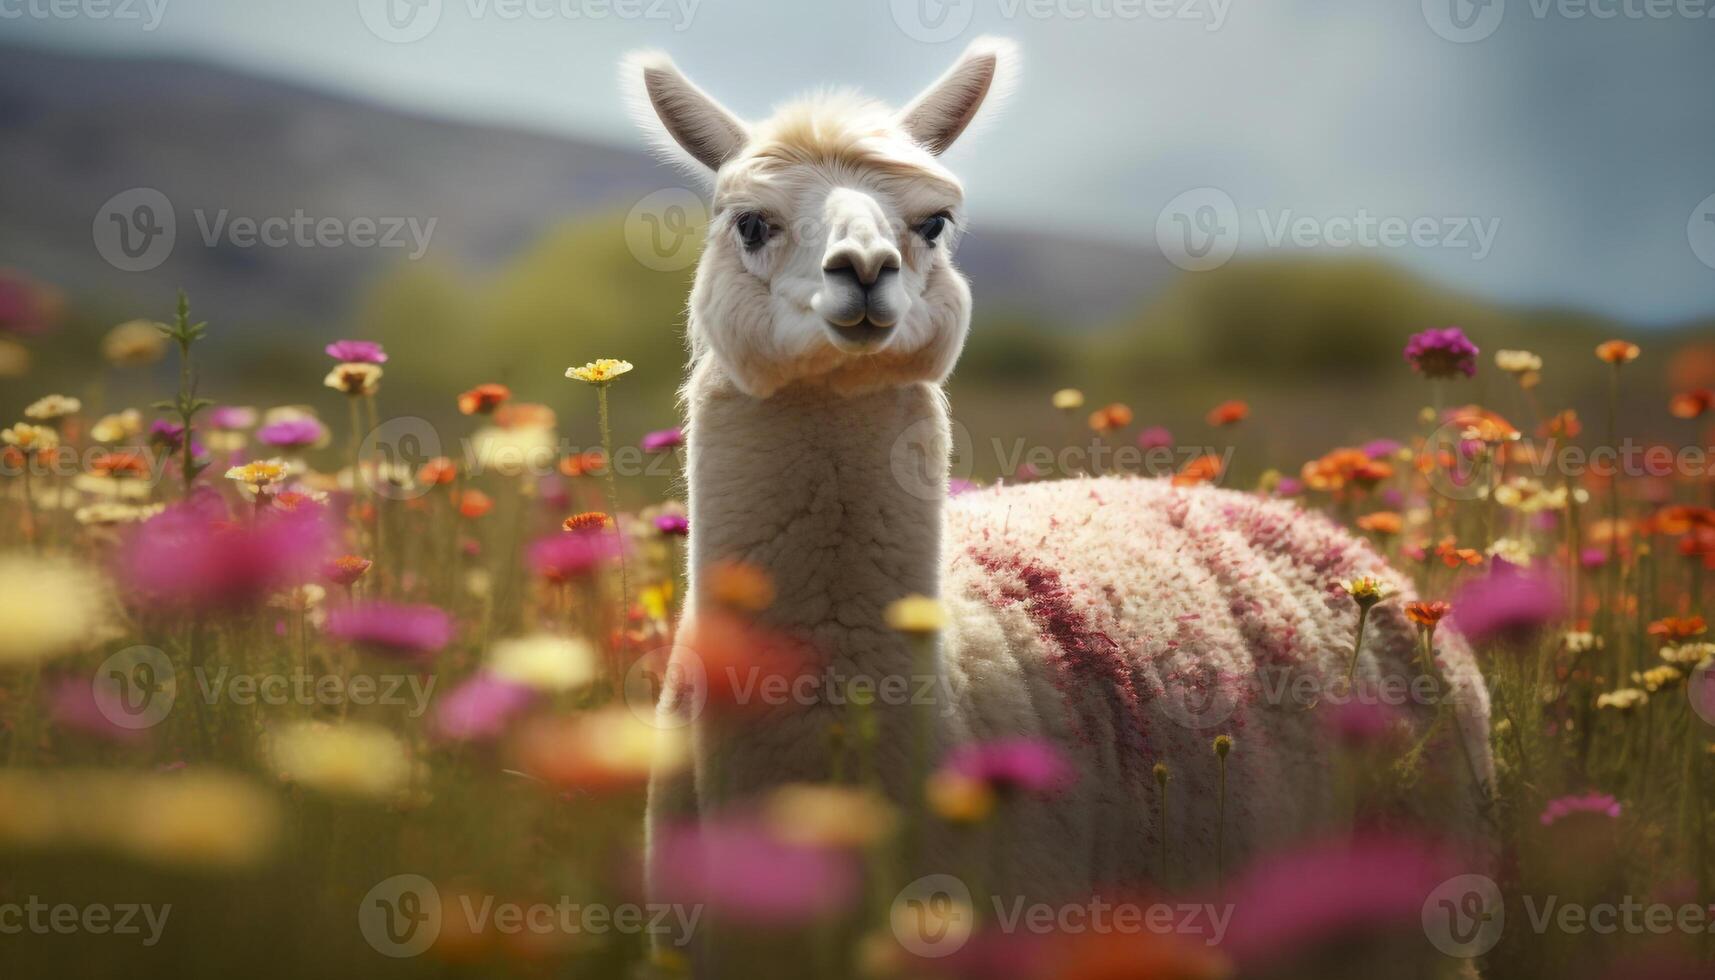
838	499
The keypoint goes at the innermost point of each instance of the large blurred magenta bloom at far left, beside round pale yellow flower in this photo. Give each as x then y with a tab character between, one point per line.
195	557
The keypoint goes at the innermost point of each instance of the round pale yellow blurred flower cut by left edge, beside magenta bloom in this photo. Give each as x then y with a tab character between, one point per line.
47	607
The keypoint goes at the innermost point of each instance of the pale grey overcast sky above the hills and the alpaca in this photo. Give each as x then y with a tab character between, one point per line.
1524	150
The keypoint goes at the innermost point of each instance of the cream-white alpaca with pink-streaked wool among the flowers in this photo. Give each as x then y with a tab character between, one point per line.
1124	620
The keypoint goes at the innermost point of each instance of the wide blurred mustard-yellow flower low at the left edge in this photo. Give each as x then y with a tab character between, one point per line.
203	820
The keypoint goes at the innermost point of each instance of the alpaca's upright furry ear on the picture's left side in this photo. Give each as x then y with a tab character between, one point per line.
682	119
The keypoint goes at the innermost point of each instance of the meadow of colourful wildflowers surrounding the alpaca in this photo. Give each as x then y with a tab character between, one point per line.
318	689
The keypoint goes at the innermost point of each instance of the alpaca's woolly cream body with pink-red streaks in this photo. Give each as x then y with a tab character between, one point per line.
1104	614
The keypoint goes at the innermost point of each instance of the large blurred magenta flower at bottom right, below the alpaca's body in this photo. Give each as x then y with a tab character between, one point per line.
1328	892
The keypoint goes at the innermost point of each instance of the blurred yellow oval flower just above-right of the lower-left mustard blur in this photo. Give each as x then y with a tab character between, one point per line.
349	759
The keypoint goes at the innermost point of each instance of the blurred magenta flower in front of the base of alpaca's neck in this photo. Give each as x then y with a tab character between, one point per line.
745	874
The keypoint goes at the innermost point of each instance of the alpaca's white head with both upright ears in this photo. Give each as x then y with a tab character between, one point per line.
829	255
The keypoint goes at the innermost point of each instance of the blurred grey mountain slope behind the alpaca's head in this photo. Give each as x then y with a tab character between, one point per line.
224	147
